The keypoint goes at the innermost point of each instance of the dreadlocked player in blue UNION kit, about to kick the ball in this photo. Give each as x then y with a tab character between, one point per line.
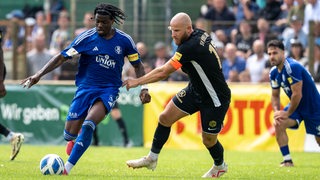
98	80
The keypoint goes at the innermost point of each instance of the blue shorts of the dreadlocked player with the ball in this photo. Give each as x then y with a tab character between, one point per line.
85	97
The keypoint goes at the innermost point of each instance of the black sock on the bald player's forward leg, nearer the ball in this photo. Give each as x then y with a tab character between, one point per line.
160	138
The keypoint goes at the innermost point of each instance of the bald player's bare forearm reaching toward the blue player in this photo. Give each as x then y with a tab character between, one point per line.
155	75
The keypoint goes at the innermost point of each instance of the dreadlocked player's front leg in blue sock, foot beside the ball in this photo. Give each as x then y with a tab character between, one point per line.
95	115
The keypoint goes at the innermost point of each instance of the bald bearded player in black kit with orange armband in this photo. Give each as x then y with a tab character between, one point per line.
206	92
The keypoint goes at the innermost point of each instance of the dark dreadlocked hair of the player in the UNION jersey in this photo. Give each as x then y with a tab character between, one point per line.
114	12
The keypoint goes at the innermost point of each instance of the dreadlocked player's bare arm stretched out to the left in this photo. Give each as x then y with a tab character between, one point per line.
55	62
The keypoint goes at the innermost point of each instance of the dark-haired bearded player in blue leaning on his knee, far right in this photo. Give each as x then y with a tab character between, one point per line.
304	97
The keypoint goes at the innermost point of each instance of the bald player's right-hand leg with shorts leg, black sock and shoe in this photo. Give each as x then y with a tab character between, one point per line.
212	123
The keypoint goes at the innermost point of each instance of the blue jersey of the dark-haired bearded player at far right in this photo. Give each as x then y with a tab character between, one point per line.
294	72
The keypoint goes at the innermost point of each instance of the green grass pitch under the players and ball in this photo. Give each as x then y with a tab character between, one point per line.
109	163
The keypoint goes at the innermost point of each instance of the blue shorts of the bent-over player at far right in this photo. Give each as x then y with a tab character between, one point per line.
311	121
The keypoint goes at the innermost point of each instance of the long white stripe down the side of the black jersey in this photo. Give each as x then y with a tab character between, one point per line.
207	84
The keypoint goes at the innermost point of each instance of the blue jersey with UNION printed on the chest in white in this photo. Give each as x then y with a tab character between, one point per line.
101	60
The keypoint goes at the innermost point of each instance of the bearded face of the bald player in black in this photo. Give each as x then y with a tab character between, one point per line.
178	33
